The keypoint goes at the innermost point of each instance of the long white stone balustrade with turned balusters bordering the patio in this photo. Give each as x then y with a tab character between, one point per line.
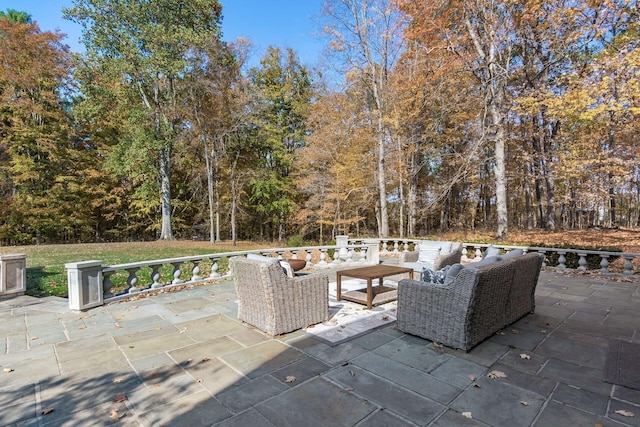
90	283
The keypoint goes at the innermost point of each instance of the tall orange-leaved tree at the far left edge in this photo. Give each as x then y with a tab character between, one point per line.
34	128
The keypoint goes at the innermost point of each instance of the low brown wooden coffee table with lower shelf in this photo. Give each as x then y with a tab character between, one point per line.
371	295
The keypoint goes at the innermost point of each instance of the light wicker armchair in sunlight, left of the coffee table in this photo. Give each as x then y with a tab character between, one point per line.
275	303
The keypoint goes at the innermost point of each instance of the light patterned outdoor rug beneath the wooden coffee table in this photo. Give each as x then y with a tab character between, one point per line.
348	320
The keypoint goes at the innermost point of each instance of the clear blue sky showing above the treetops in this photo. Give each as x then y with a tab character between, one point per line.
282	23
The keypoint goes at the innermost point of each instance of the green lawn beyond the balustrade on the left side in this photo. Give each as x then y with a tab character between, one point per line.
46	274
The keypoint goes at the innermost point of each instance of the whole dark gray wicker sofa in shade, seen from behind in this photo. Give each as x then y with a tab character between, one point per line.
480	301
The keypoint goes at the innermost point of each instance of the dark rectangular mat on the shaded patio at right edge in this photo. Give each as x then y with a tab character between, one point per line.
622	364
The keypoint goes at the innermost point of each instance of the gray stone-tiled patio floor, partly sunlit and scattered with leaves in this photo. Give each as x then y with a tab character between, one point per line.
182	358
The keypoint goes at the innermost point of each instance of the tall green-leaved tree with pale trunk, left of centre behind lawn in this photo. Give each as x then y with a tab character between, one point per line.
145	46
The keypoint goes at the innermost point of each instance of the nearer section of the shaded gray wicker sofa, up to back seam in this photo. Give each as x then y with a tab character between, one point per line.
460	314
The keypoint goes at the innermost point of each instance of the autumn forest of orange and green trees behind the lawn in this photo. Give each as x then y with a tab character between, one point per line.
453	115
